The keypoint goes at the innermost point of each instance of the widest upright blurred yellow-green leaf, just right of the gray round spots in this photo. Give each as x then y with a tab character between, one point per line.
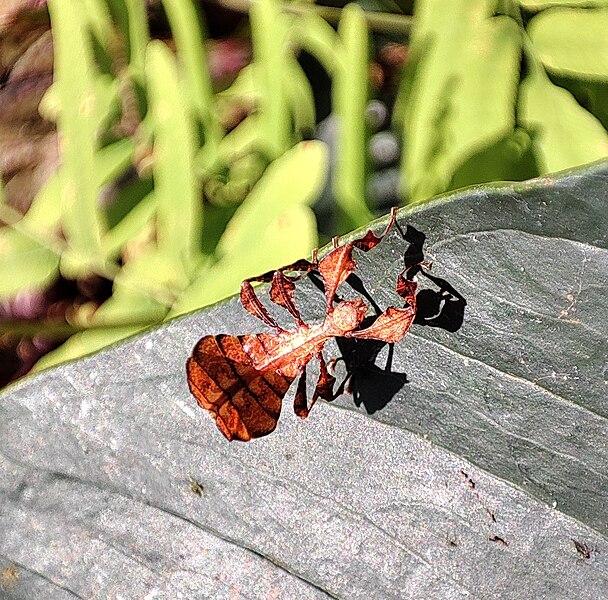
461	93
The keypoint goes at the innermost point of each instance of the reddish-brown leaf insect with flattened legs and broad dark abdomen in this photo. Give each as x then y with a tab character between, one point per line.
242	379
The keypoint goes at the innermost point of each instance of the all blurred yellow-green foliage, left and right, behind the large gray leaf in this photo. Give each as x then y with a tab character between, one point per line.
492	91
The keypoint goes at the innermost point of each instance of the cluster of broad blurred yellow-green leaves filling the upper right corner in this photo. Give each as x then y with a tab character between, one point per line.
483	96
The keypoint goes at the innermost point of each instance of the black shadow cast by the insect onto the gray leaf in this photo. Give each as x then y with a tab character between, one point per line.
374	386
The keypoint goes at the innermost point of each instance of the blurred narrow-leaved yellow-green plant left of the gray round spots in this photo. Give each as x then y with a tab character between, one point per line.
127	108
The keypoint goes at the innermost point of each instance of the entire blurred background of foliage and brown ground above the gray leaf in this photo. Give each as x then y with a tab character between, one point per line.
153	153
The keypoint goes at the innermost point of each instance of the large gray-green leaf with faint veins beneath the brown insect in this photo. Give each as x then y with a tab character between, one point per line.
95	498
